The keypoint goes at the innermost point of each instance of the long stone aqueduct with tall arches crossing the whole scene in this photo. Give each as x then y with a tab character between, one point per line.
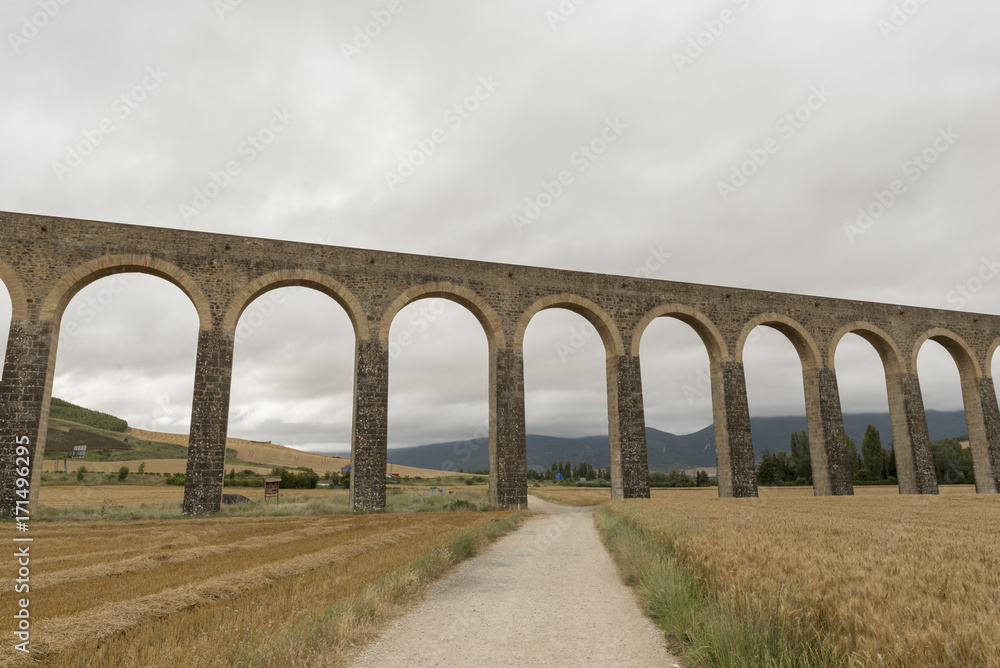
45	261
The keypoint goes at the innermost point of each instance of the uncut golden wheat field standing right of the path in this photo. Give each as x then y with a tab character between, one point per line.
894	580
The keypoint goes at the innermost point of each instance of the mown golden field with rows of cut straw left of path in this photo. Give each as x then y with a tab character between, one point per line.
210	592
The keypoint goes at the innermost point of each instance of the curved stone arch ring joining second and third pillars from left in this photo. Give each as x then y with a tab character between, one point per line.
297	278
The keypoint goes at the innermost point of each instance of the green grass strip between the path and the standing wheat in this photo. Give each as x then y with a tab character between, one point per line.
703	628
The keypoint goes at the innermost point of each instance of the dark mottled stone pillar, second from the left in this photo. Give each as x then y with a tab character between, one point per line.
206	464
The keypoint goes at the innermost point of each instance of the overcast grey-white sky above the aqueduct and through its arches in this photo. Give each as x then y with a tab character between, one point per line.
832	100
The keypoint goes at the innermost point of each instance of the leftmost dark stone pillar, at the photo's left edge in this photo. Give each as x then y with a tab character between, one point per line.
24	409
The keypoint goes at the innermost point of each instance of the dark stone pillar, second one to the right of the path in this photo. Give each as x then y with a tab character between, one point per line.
733	440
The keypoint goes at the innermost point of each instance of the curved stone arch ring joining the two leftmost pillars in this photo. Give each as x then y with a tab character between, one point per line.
77	279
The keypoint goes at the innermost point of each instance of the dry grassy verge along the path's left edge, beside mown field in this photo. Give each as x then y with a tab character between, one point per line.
333	636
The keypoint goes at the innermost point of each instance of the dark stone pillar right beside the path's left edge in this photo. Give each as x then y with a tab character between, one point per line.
508	455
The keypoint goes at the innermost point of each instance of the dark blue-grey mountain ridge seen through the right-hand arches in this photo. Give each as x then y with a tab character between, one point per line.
665	451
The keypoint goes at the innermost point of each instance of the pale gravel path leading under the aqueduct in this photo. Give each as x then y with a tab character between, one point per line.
547	595
